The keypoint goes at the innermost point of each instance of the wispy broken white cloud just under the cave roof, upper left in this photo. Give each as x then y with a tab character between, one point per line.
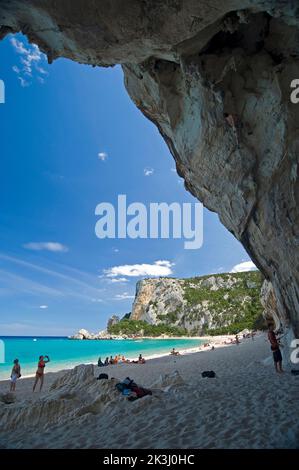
30	59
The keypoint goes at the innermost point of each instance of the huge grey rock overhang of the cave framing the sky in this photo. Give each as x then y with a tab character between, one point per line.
186	63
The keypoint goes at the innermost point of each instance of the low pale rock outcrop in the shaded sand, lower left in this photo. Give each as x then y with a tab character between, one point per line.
74	395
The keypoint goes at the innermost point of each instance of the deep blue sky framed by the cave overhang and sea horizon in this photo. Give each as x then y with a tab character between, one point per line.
70	139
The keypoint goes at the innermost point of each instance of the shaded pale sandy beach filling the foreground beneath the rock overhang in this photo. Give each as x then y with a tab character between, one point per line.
247	405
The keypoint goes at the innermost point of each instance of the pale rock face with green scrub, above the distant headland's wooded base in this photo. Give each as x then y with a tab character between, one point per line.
199	304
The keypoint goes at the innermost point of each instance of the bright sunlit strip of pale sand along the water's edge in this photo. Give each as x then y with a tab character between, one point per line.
216	341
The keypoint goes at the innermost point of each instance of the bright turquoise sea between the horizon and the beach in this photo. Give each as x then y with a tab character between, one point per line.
66	353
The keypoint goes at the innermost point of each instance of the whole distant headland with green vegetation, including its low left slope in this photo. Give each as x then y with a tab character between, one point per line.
209	305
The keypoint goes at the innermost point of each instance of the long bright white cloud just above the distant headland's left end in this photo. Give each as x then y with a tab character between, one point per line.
159	268
